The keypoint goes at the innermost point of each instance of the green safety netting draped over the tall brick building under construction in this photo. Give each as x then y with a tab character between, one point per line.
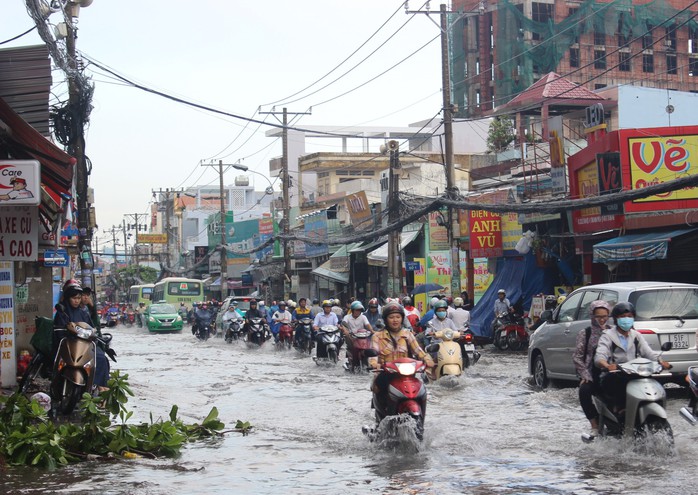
519	59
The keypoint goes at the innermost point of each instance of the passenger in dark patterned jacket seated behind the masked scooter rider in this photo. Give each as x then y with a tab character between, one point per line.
583	359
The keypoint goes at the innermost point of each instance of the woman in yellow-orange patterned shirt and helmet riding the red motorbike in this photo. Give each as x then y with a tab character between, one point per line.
393	343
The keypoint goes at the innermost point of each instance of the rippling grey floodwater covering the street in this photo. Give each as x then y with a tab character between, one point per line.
486	432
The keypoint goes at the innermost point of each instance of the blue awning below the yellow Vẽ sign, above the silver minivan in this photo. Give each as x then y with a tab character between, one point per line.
651	246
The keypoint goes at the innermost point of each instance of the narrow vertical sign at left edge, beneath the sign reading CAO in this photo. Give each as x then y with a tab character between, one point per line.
8	361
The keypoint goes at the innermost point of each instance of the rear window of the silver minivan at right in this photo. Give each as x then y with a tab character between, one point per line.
675	303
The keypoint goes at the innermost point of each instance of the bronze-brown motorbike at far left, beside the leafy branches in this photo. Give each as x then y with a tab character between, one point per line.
74	366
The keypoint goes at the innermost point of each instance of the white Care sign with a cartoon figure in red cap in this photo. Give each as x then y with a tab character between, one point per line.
20	182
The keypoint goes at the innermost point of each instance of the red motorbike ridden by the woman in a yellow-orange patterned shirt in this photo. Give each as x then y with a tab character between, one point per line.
405	394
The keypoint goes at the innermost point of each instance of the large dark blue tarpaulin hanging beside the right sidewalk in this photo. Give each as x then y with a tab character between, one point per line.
521	278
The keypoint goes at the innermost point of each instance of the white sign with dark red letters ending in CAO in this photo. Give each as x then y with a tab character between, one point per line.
19	233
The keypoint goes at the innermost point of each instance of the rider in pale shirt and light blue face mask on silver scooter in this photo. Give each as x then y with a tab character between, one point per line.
620	344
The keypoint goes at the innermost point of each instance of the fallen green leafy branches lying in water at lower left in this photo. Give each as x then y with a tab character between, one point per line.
29	437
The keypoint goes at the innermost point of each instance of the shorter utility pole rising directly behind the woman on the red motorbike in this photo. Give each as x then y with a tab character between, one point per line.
394	263
